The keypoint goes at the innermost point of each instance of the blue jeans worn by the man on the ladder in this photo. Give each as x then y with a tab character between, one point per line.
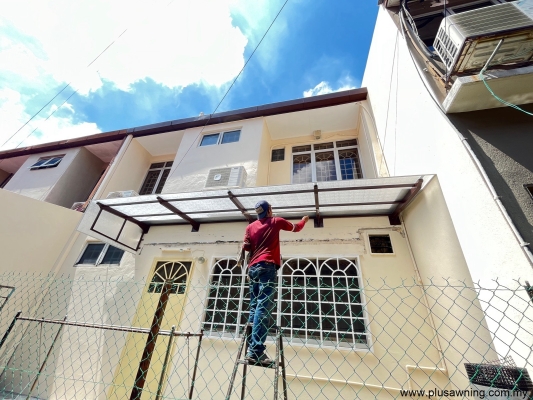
262	289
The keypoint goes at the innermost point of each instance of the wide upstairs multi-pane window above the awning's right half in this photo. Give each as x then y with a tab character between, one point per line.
326	162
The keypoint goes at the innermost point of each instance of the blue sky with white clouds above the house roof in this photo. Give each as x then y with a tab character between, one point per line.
90	66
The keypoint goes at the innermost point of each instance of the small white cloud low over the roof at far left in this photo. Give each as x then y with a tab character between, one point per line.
13	116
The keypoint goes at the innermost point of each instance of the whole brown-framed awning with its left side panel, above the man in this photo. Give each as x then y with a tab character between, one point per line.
123	221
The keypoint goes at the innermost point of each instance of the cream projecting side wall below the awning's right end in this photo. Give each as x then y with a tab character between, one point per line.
456	311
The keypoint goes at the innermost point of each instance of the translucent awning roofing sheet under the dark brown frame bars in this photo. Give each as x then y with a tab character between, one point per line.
351	198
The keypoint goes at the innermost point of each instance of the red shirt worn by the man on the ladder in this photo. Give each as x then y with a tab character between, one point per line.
262	238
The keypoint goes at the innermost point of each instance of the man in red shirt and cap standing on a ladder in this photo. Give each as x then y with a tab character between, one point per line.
261	240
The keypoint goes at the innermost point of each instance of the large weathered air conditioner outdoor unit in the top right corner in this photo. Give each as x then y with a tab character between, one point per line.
465	41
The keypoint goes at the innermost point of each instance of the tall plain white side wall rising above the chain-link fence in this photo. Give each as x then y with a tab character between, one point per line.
420	140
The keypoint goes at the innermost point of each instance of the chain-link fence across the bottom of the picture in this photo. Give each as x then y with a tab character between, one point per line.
345	338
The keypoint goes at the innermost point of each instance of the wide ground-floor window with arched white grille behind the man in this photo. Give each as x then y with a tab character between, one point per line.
319	302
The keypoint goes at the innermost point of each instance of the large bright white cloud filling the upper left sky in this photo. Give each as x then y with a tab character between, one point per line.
45	44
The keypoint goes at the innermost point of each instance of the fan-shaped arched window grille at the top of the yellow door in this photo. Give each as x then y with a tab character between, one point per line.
175	271
